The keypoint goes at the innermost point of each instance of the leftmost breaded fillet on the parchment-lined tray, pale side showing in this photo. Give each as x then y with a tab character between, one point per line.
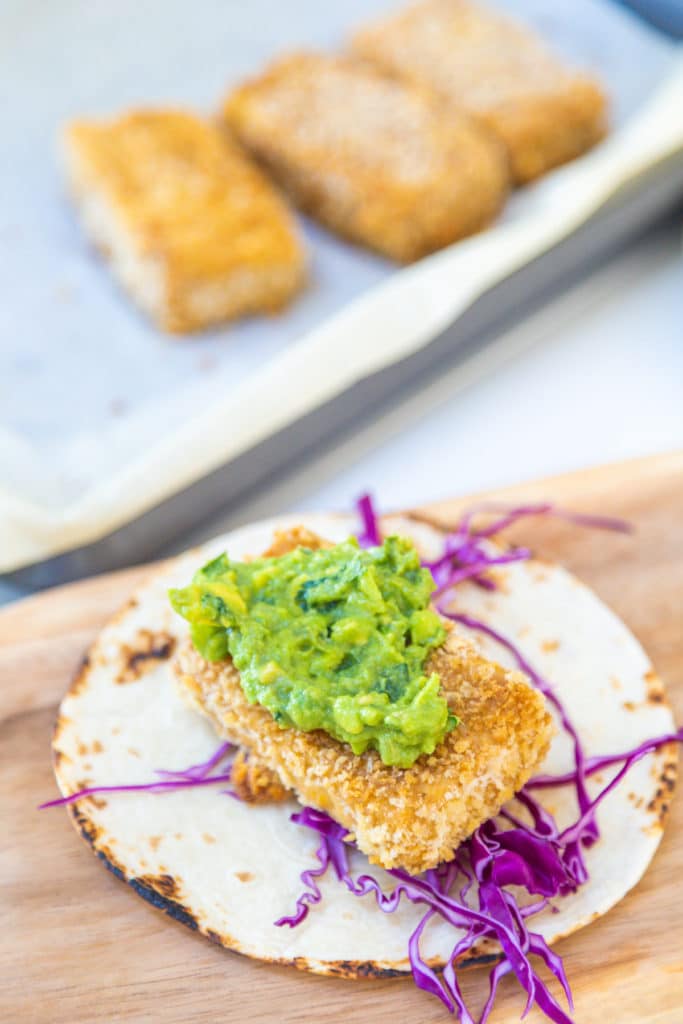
192	229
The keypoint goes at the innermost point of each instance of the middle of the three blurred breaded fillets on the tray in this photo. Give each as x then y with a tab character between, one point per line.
380	162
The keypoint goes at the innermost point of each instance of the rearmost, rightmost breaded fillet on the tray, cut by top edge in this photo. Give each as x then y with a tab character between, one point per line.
499	72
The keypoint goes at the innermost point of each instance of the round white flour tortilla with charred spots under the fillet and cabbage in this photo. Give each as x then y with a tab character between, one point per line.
231	870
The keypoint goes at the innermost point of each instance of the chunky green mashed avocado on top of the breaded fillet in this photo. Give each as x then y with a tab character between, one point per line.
332	639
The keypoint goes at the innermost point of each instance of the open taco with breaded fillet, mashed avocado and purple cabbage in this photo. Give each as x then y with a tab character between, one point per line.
460	673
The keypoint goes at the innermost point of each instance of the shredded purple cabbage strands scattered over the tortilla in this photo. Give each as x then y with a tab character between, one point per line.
473	891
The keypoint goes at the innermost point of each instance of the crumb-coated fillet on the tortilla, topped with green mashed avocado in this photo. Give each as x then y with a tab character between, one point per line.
414	818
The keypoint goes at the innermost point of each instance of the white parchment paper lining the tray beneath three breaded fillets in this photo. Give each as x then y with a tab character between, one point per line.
102	417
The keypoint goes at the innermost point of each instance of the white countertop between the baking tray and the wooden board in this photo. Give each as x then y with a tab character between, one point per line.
595	376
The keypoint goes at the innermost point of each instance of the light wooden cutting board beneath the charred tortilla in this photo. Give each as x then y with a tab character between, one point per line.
77	946
